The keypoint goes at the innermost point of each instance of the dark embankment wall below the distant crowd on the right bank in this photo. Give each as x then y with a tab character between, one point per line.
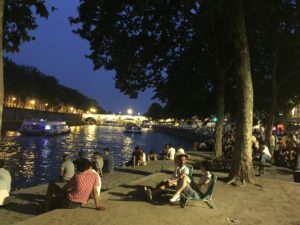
187	134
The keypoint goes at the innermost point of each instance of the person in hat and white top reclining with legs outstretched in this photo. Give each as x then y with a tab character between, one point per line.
179	179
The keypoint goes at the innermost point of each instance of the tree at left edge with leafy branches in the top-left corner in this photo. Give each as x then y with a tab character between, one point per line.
16	21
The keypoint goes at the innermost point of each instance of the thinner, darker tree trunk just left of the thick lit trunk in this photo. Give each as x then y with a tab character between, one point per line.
220	112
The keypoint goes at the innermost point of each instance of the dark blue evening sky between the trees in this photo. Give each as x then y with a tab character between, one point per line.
60	53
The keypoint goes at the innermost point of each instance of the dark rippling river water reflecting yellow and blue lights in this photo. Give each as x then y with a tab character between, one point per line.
36	160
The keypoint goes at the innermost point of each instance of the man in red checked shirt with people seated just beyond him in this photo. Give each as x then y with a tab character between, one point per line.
82	185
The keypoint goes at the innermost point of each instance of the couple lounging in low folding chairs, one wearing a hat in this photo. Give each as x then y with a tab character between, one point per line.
182	182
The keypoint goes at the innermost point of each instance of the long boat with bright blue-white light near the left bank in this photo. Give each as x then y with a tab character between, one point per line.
43	127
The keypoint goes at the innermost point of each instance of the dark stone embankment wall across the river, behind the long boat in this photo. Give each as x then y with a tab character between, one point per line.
13	117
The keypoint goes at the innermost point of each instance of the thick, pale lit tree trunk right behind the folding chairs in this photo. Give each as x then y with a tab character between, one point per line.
242	168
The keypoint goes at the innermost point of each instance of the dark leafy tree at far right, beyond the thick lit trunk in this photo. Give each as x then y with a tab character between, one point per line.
275	46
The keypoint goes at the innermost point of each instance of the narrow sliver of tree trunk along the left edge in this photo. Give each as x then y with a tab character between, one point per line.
1	62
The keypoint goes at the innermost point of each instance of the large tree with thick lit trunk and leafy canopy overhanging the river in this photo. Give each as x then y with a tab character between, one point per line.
144	42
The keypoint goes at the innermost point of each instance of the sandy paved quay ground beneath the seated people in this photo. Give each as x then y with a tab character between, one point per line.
274	200
